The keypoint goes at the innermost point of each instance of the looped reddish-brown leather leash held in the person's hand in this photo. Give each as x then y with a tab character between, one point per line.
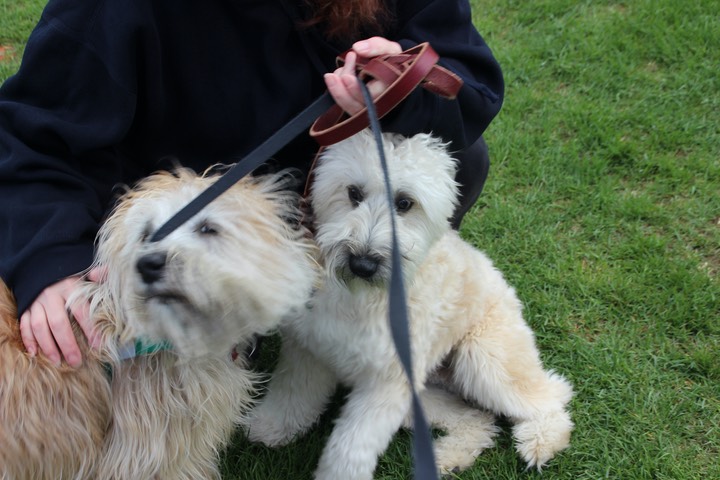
403	72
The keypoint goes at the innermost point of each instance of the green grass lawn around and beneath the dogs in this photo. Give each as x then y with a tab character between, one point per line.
603	209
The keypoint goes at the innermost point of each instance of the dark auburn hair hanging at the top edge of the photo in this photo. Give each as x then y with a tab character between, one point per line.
348	19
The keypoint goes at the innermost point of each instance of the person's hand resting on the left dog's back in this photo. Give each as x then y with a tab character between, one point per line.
45	325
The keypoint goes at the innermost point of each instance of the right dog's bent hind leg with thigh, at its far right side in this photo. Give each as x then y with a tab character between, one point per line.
498	365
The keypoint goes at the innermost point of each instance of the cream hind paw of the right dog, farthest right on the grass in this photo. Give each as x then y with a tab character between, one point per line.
541	437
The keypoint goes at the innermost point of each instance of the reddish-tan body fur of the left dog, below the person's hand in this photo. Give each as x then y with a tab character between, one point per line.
48	415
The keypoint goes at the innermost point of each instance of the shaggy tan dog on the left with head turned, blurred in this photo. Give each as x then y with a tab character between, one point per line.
232	271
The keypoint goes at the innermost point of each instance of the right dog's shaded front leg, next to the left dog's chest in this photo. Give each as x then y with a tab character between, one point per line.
297	394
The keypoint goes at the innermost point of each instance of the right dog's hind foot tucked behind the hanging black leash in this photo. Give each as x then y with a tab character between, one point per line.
467	430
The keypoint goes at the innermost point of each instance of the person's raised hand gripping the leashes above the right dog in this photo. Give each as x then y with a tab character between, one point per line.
342	83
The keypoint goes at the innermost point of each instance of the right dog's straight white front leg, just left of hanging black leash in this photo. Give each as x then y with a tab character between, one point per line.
372	415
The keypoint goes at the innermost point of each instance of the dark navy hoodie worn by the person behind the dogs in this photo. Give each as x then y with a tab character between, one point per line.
111	90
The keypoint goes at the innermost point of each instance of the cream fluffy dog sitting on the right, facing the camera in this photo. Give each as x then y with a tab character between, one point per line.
464	318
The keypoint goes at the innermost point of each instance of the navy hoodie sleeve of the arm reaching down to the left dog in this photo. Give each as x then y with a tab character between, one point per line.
58	114
